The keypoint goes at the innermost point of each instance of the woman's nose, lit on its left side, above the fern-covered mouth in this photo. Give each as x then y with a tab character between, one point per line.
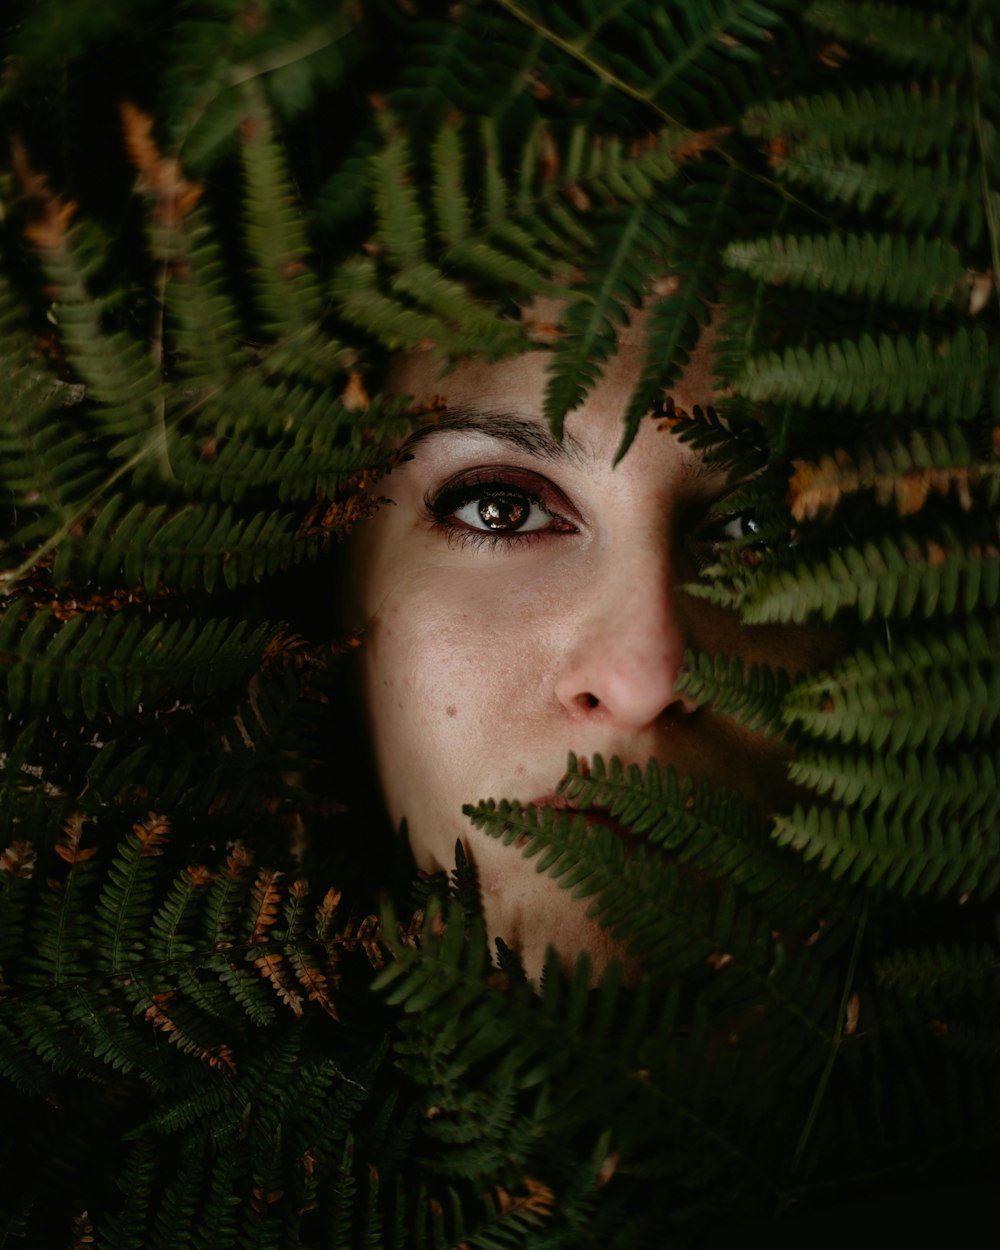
622	663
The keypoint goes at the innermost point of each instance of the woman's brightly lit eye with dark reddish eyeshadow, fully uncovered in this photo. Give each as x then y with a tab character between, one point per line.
498	506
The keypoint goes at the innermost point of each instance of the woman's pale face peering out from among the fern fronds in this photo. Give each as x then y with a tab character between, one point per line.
522	599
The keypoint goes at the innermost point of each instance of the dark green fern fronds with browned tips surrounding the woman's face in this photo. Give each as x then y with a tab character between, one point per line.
808	1002
